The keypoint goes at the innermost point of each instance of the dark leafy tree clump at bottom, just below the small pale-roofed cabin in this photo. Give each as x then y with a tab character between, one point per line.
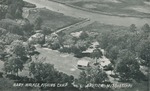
91	75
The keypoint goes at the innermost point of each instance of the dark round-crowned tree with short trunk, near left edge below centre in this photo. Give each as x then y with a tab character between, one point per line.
13	65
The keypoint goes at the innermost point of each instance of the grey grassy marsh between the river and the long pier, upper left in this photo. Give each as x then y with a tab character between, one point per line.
51	19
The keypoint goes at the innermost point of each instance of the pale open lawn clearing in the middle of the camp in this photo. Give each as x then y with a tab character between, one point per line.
66	63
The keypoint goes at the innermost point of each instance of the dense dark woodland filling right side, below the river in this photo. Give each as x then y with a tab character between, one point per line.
128	50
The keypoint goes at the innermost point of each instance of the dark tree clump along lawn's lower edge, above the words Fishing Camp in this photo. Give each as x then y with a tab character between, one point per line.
44	72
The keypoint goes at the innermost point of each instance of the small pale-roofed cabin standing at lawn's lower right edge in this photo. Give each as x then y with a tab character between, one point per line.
83	64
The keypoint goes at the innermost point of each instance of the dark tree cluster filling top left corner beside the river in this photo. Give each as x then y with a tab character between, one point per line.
12	9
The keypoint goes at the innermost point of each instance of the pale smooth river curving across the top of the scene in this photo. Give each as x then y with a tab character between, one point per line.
106	19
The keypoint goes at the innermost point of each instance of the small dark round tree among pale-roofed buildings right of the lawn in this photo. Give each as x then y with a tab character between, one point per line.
96	54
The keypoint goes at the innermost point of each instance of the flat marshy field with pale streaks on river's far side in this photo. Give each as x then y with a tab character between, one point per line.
136	8
